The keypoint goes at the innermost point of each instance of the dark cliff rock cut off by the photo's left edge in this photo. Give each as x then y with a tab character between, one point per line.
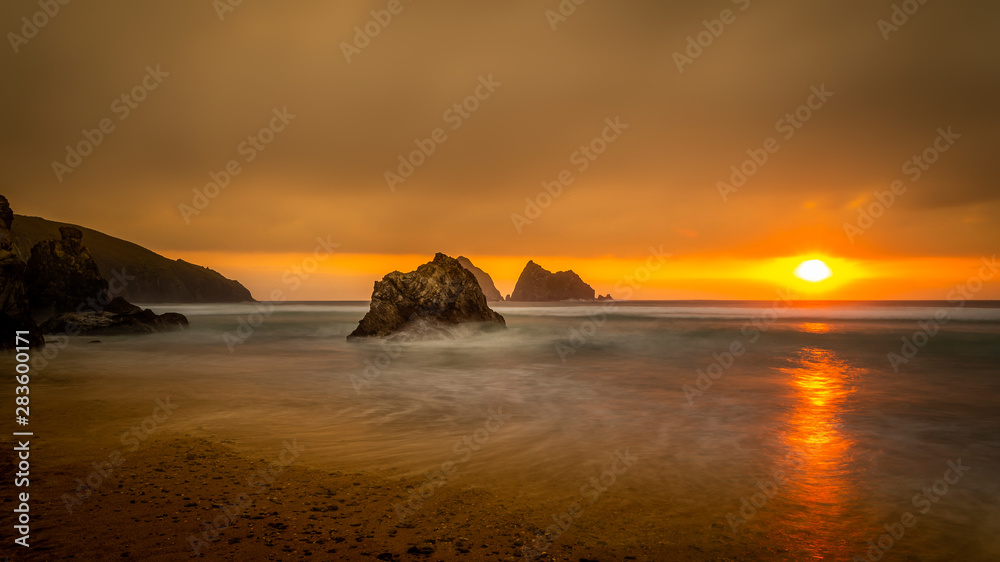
15	315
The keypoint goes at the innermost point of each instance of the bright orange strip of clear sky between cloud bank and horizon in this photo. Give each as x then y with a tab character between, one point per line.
350	276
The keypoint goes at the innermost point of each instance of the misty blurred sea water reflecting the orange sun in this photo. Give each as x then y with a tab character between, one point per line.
812	395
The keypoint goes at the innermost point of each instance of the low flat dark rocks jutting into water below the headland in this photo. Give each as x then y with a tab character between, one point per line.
118	317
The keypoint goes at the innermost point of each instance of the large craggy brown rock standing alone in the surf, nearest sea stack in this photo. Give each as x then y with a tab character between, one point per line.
438	294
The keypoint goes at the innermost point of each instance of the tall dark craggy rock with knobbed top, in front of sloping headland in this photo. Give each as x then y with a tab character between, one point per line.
62	274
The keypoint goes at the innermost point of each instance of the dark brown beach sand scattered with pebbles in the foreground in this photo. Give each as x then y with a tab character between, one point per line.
155	505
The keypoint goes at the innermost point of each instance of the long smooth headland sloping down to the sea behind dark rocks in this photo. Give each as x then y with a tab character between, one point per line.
150	277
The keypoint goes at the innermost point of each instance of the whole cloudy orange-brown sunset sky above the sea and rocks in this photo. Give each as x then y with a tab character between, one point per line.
534	106
